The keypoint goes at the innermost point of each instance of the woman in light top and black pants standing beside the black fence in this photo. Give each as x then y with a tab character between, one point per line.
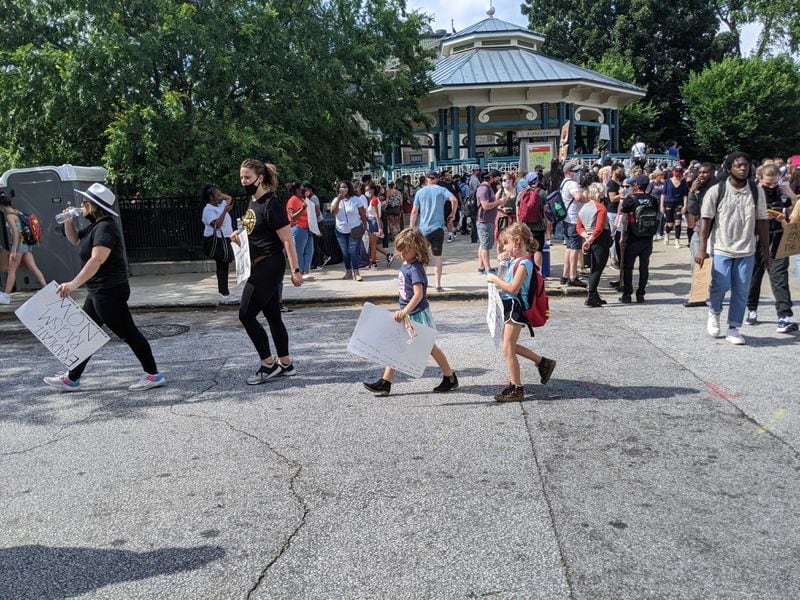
216	237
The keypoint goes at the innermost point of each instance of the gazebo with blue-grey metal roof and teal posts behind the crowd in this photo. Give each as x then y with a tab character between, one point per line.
495	90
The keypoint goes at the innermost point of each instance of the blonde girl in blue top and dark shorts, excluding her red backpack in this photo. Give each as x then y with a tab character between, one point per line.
517	242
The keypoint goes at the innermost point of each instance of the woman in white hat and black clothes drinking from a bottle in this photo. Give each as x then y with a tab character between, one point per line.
105	273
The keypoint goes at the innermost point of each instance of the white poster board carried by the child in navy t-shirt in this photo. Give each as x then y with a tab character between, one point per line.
382	340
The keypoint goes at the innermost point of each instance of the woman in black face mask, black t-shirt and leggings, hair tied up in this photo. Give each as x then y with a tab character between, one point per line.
268	234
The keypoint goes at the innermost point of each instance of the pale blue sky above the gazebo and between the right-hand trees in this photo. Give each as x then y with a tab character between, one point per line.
466	12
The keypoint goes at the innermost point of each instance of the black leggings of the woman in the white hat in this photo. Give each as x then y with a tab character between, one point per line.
110	307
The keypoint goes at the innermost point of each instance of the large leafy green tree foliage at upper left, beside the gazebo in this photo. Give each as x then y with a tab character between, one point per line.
168	94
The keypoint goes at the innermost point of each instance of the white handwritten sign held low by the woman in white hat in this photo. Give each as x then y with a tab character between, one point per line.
62	326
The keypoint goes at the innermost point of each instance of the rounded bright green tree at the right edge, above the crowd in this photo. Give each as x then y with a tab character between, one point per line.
747	104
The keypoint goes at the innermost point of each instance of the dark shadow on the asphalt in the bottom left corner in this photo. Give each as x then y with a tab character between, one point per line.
51	572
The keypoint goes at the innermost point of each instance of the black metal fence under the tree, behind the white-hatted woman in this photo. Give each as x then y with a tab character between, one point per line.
167	228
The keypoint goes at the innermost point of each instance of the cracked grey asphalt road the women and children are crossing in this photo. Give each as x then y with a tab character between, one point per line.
657	463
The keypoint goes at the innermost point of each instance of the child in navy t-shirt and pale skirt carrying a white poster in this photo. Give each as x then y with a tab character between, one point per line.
413	248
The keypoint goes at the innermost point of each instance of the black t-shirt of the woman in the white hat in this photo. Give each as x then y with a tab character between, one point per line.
108	234
